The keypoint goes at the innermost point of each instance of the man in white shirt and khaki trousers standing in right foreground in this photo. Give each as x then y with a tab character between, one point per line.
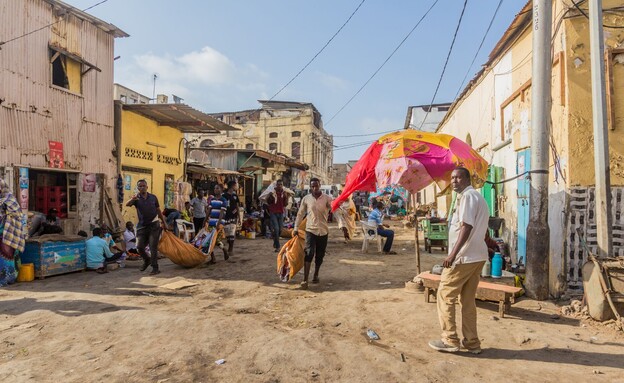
462	267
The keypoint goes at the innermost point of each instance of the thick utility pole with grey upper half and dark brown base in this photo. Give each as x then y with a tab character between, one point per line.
538	232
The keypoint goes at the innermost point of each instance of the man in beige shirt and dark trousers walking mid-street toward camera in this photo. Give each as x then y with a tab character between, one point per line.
316	206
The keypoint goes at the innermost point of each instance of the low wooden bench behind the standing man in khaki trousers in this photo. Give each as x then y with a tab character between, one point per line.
486	291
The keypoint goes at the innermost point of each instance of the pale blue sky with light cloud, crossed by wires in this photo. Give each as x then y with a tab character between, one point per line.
224	55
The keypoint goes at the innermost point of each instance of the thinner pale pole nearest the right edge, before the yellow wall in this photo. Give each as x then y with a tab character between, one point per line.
601	135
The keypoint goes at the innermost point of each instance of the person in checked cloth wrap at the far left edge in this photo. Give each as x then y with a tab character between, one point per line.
12	234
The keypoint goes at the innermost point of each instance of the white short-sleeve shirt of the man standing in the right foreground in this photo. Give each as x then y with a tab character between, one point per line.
470	209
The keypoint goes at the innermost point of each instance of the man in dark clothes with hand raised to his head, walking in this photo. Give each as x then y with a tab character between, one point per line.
148	229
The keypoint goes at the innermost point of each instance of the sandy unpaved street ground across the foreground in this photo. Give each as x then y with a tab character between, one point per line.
123	327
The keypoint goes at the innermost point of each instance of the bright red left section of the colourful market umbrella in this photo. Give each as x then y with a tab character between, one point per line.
362	176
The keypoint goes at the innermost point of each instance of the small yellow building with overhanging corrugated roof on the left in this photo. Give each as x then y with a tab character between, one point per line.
151	146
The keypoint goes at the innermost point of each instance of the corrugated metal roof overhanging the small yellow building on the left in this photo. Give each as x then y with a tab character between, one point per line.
180	116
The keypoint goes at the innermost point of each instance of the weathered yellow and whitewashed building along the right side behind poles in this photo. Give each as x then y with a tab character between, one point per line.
493	113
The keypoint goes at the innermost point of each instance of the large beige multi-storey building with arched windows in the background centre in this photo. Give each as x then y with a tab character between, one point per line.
294	129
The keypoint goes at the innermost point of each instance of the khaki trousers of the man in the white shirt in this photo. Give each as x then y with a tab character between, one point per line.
459	281
